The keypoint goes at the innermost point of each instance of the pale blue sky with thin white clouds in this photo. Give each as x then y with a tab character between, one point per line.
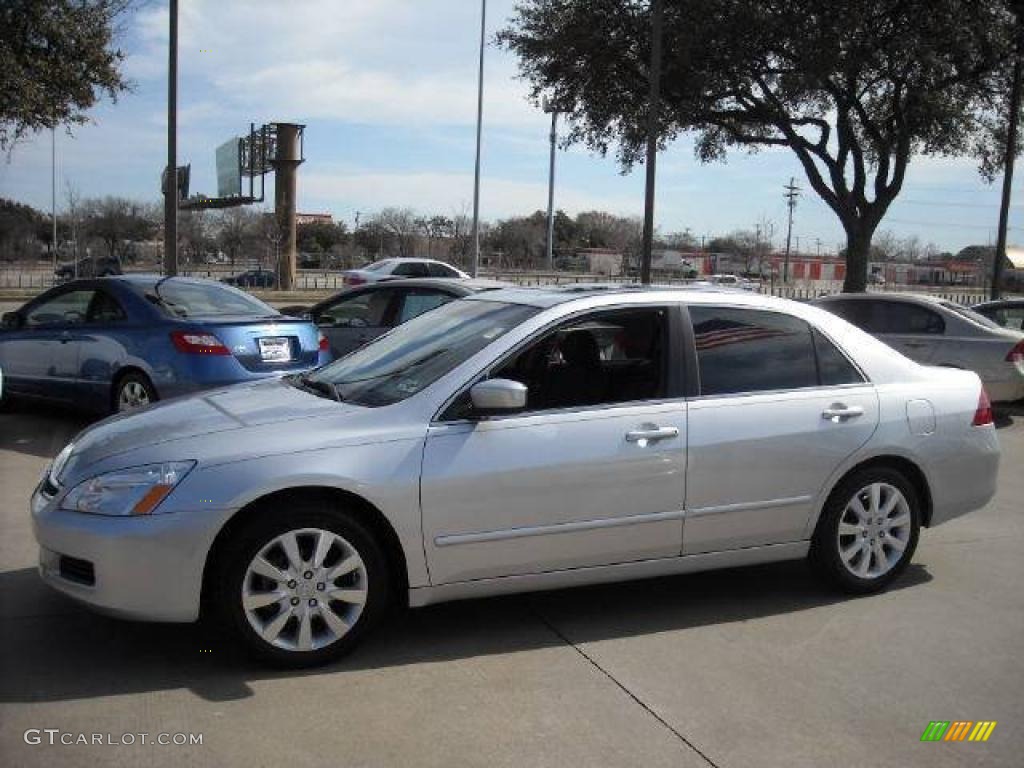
388	90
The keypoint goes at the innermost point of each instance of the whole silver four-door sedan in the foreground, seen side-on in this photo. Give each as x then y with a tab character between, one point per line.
516	441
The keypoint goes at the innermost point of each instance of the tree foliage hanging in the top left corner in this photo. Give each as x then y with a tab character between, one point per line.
58	59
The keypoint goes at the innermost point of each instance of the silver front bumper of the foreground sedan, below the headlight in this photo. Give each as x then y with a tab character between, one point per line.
147	568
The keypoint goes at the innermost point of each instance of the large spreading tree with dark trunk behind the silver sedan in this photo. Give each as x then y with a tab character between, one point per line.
856	89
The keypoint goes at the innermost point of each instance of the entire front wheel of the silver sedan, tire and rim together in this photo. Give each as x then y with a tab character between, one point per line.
302	588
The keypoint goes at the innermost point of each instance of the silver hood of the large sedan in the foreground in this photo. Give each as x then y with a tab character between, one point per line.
204	425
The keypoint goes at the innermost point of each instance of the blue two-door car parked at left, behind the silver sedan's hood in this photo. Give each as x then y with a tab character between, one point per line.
115	344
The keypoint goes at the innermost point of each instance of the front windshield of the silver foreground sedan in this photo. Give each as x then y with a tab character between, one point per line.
419	353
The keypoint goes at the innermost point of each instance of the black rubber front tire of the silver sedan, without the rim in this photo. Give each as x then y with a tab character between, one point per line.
232	575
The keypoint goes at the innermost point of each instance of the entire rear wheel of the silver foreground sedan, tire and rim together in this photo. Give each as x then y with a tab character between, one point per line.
869	531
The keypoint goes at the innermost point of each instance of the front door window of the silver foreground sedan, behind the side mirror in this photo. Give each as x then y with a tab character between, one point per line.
602	359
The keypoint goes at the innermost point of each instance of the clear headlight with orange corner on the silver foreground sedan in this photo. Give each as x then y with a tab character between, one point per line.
138	491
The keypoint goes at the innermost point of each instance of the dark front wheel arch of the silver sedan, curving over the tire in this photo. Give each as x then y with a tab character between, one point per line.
368	514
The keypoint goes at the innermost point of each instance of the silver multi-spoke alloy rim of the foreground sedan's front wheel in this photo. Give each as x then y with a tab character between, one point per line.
305	590
